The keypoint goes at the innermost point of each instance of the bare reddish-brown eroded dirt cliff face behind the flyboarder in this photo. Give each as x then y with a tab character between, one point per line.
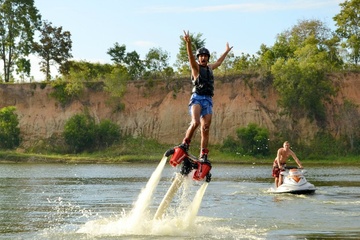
162	114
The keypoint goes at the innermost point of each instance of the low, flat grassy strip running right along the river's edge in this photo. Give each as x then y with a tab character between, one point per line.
113	158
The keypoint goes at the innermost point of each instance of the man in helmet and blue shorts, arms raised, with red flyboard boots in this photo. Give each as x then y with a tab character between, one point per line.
200	109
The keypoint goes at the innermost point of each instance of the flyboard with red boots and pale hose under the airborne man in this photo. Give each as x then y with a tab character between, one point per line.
190	165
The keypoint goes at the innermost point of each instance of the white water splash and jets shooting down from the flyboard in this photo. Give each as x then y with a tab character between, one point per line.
139	221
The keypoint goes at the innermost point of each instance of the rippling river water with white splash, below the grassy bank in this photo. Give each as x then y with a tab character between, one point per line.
118	201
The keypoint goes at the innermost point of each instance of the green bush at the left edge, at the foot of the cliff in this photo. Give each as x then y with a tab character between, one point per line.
9	130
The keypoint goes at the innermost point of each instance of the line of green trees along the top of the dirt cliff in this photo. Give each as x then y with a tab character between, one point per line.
21	21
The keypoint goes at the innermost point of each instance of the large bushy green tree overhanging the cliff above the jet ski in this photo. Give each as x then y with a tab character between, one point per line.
302	84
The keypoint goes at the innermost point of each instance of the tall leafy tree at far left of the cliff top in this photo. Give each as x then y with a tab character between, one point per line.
18	21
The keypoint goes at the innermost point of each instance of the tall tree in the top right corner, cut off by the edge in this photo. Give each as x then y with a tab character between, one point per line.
348	22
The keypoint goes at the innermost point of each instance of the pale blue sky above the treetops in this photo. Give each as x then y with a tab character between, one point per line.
96	25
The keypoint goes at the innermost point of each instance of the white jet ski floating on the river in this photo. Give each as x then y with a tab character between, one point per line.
295	182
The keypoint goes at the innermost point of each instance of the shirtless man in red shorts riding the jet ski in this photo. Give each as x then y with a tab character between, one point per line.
280	162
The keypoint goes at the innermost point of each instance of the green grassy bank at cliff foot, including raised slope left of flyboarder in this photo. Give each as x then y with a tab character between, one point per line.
140	150
